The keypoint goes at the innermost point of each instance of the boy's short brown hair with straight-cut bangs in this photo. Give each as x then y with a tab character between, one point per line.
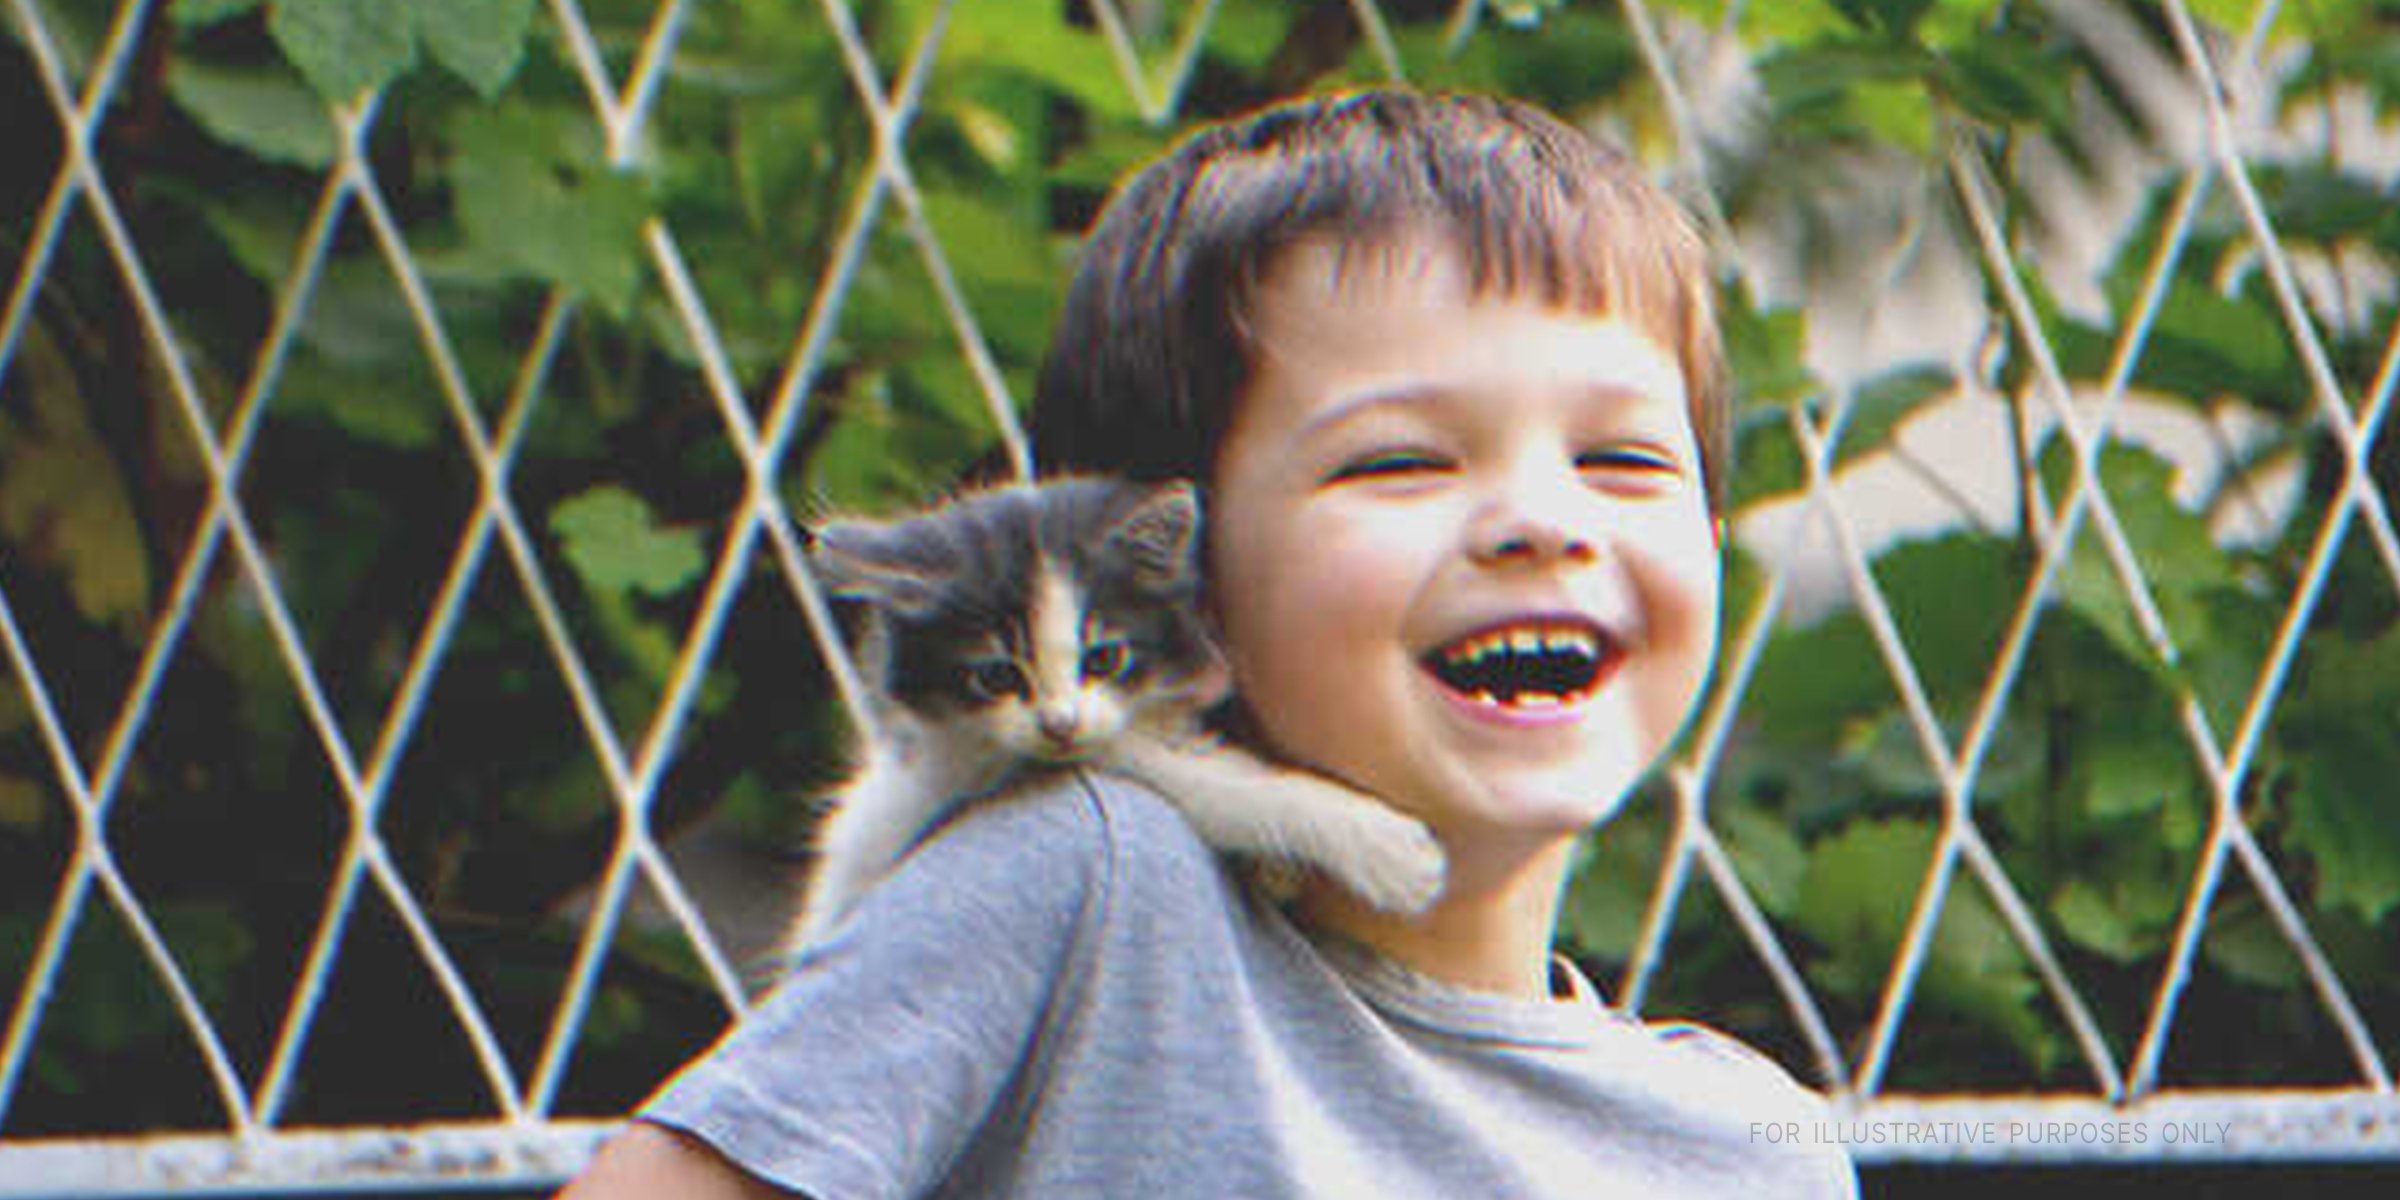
1151	352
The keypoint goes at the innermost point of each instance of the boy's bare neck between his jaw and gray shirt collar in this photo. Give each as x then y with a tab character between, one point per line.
1489	932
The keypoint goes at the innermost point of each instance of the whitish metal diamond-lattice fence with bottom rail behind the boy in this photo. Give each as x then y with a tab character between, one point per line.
2125	1112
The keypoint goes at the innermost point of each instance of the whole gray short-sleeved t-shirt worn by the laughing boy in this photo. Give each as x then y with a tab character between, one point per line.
1067	995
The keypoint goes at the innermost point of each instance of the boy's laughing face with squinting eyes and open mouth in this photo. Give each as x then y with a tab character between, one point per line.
1463	548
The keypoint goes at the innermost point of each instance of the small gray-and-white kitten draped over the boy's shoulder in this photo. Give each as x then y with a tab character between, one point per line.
1052	625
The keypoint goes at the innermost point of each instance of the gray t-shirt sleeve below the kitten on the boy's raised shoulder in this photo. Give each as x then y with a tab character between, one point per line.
875	1062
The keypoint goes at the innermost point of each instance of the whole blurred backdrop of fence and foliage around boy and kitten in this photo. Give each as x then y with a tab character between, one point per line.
412	707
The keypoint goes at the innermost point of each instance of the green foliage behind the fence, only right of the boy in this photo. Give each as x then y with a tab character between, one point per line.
2092	788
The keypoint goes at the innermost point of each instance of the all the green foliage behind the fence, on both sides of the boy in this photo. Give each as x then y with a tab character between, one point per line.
508	284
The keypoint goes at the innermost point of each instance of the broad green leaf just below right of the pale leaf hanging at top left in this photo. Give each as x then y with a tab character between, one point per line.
536	196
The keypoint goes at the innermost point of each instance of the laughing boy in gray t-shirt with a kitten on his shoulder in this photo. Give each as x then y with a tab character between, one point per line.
1451	380
